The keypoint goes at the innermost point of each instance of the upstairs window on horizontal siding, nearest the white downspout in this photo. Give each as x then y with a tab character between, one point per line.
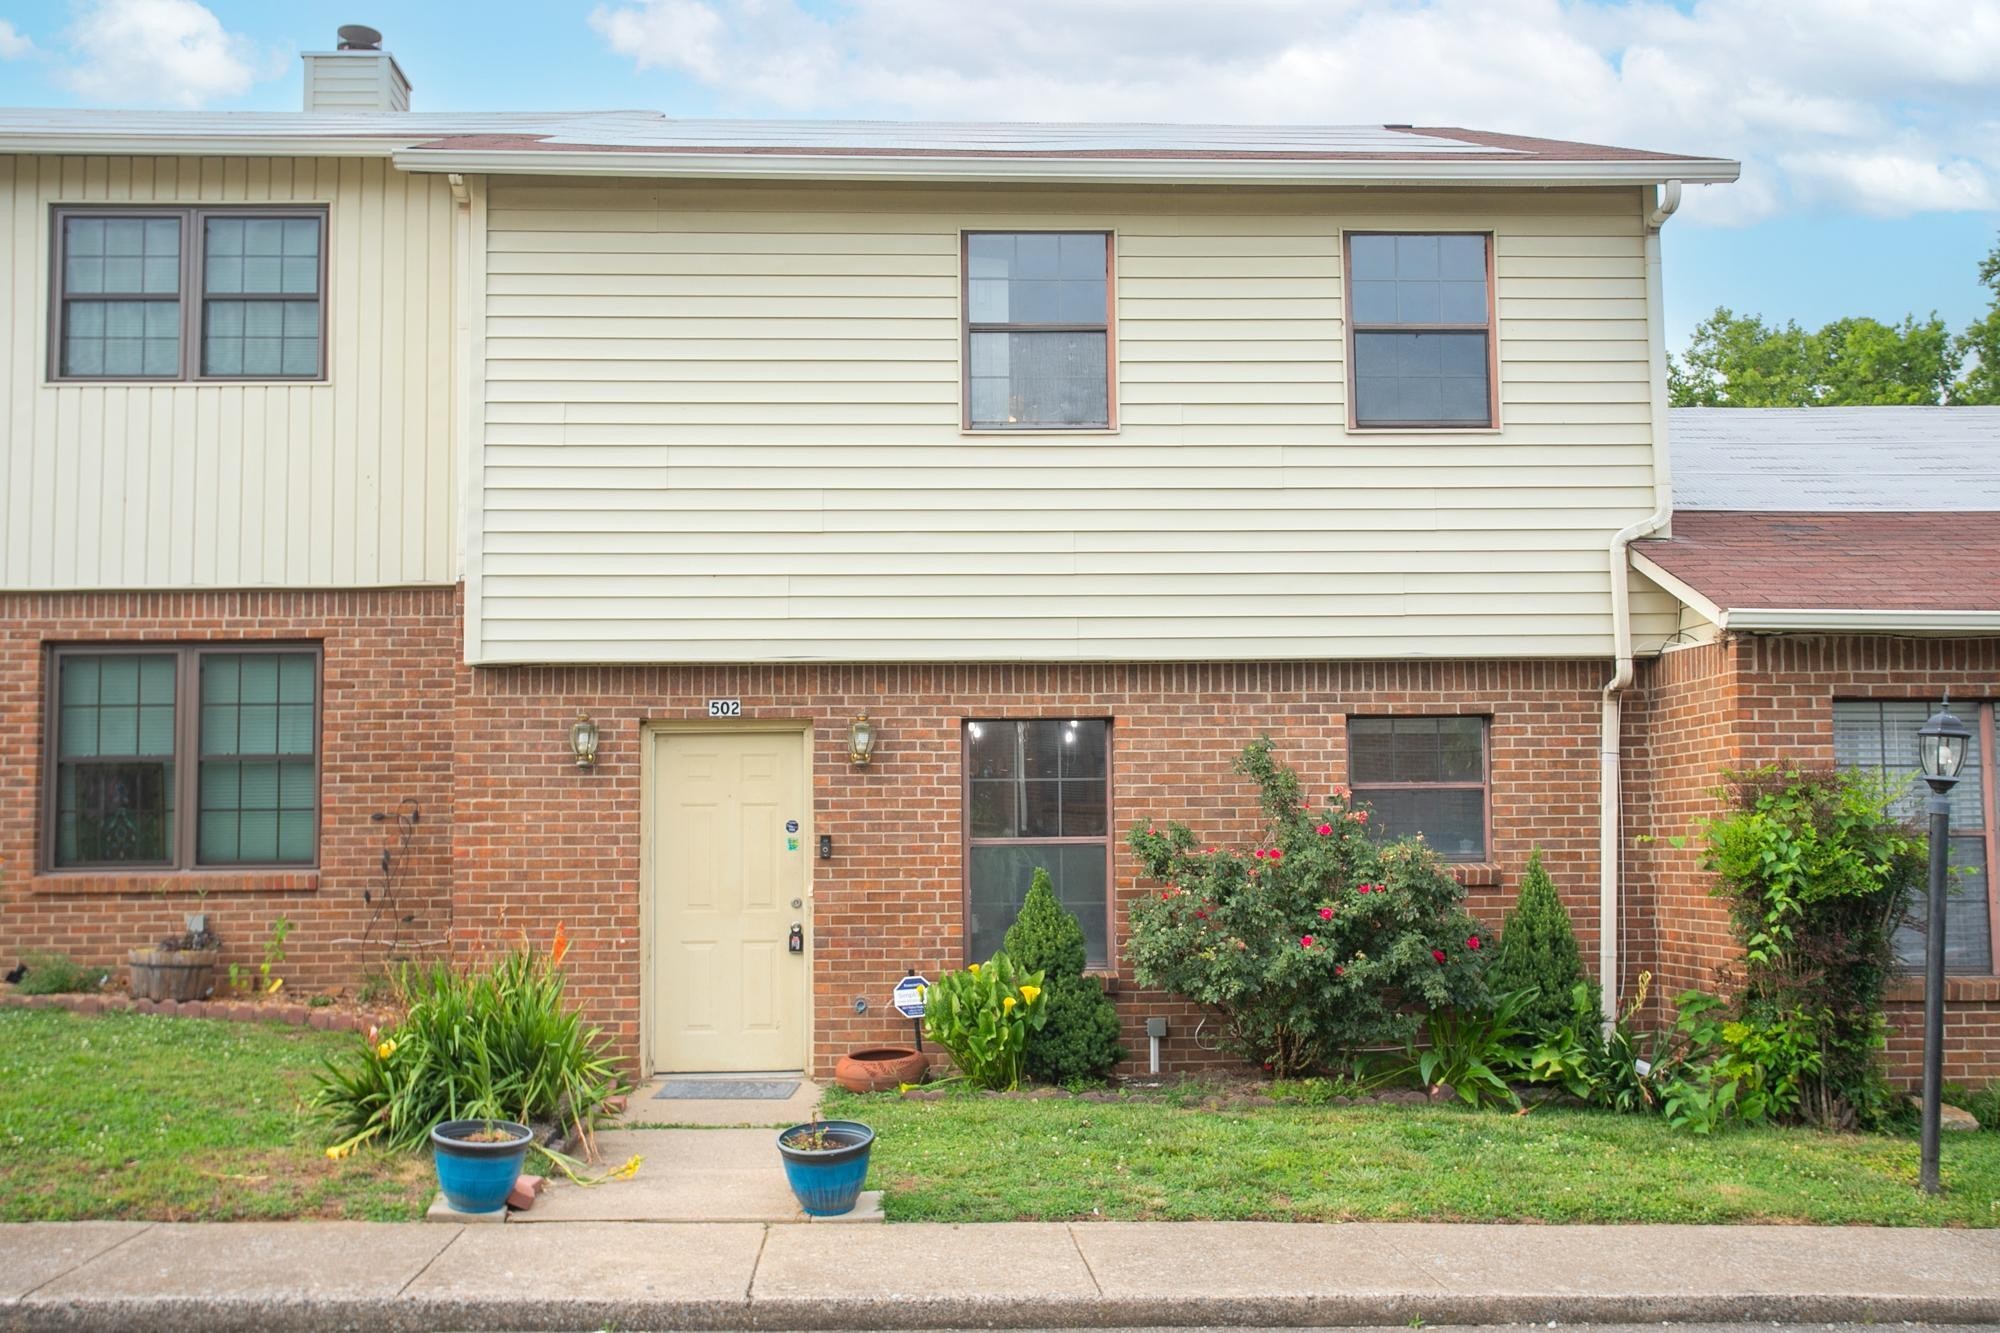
1421	347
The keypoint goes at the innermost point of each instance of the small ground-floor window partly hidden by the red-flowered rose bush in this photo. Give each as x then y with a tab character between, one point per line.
1423	776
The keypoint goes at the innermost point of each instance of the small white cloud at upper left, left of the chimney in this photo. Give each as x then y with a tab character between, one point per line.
159	53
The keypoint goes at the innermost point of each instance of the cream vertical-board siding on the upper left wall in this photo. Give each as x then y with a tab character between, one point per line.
349	483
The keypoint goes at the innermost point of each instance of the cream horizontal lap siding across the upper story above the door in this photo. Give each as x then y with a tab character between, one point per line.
723	423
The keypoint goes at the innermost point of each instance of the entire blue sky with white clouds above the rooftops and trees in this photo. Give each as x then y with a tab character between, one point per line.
1869	131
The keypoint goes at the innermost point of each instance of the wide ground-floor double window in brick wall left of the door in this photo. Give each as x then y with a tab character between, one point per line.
183	758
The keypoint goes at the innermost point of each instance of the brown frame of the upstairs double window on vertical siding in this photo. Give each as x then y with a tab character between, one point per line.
191	297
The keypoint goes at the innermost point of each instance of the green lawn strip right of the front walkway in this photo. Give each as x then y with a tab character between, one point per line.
995	1160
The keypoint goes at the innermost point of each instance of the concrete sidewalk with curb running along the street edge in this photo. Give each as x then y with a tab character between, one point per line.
747	1276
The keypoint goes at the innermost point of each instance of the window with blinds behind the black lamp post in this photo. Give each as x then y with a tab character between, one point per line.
1879	736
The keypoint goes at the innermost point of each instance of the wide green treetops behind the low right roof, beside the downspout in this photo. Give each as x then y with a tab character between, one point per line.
1739	361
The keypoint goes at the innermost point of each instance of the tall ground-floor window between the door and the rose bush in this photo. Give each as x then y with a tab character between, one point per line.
1037	798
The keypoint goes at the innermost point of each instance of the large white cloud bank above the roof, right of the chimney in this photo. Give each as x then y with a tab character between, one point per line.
1885	107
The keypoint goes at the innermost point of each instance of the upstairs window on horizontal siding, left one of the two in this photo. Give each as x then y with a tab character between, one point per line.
1039	331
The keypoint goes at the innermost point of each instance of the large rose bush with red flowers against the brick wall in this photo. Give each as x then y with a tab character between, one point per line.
1313	946
